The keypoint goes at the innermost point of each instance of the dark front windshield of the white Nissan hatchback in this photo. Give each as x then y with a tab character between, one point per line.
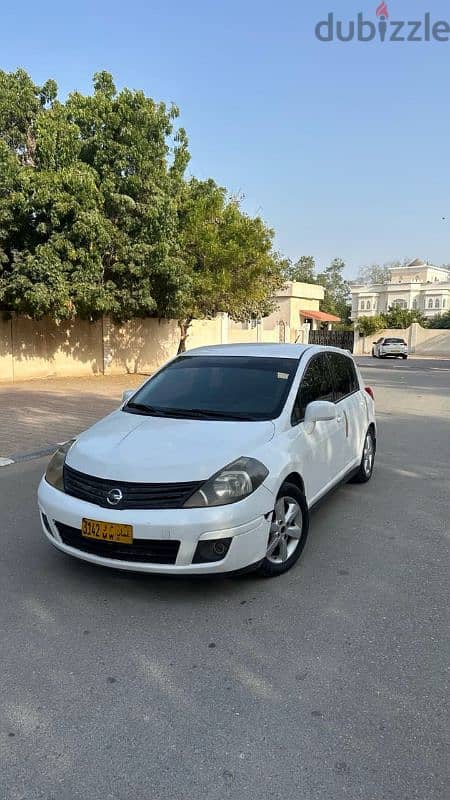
217	387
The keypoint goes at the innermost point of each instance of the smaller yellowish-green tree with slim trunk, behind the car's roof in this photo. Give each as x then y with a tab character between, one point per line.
225	258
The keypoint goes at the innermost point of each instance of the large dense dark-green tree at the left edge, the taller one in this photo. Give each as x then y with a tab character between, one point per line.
89	194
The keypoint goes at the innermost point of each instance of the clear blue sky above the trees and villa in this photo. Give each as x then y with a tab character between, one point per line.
342	148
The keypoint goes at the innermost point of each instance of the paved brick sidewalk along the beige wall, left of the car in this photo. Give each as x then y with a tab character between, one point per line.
37	414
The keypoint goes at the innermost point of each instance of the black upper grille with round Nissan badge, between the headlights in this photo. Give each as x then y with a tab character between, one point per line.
134	495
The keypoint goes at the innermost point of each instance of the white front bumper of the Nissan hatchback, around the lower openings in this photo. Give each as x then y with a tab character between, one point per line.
247	523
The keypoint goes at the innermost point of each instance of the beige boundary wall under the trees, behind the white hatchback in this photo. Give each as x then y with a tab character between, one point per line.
42	348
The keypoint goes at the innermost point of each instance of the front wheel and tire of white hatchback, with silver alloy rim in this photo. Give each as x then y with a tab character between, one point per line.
284	550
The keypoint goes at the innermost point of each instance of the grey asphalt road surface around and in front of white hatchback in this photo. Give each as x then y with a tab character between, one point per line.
330	682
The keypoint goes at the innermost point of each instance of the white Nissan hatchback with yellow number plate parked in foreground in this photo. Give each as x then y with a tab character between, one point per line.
214	463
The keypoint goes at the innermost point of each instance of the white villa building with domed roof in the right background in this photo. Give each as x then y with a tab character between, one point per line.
417	286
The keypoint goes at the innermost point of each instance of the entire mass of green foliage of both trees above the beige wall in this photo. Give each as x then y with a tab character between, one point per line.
96	216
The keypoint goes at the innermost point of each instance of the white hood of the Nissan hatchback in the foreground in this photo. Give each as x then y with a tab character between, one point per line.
131	447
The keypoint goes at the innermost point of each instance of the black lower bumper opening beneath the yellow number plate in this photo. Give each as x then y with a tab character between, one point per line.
152	551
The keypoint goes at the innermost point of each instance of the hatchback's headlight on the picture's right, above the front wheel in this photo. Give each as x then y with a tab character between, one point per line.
230	485
